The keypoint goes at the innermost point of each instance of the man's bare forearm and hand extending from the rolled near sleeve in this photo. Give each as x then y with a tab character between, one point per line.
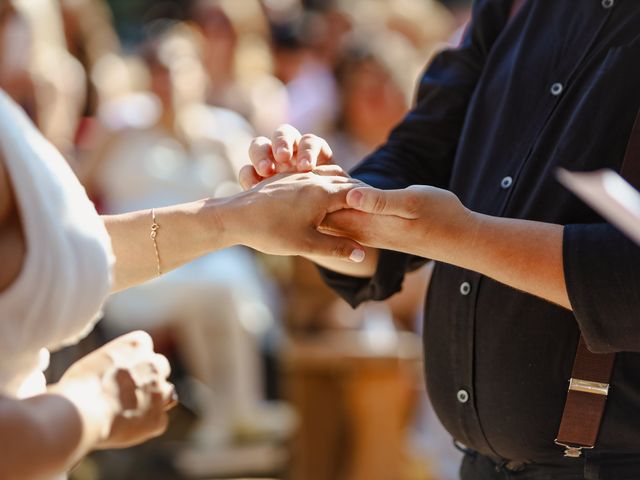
432	223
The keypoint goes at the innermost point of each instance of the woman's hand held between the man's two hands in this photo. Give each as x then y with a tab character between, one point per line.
281	216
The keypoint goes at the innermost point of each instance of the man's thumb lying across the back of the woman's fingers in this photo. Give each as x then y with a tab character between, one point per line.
381	202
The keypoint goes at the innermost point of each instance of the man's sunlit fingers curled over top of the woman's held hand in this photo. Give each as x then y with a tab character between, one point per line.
287	151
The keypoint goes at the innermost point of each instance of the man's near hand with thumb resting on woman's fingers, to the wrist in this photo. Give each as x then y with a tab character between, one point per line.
420	220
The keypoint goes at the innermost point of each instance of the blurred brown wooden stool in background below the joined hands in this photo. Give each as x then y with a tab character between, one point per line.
355	397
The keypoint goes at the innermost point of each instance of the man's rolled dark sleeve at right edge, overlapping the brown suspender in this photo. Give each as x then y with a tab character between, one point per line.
601	268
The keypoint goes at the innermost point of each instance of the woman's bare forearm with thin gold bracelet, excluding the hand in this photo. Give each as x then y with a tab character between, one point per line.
185	233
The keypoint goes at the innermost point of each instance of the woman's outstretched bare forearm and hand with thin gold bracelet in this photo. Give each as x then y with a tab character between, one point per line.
261	218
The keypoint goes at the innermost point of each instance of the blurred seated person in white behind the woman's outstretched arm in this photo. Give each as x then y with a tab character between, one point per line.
179	149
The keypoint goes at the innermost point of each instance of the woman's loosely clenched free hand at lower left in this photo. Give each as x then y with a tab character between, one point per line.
130	380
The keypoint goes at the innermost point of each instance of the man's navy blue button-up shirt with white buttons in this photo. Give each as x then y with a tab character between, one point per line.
555	83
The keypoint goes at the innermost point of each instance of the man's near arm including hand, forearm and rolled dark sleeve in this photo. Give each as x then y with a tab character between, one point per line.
589	269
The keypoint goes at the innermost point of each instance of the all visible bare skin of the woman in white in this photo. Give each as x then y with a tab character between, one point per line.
84	411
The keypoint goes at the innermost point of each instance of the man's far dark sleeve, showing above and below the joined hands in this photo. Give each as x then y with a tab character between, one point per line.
421	149
